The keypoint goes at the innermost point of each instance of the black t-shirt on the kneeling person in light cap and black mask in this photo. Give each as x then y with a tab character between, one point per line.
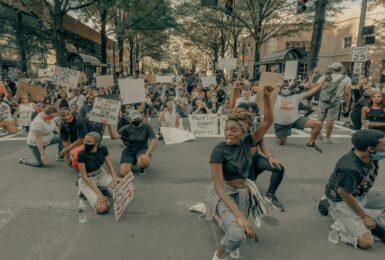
136	139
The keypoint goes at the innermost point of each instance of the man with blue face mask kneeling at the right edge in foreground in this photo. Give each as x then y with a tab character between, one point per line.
349	190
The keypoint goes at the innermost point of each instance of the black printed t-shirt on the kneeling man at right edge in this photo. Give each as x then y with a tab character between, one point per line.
353	175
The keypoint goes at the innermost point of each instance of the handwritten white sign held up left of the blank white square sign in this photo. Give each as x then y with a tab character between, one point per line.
105	109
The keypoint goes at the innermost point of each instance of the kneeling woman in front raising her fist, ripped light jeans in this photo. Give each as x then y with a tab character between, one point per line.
232	198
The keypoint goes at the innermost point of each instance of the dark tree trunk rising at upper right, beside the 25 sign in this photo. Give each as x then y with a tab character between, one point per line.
318	26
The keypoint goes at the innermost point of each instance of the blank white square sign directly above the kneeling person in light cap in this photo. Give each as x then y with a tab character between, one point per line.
132	91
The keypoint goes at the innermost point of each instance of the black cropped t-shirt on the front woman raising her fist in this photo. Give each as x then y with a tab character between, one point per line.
235	159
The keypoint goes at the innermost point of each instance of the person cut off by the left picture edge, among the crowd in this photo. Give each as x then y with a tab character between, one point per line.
6	119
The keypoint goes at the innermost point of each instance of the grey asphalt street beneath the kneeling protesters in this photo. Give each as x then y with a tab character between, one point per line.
42	221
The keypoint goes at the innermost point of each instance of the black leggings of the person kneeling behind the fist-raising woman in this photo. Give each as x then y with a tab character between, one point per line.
261	164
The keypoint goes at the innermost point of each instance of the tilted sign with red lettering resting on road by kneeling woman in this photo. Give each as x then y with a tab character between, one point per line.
122	195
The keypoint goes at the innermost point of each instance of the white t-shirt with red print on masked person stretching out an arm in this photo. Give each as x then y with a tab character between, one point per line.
286	109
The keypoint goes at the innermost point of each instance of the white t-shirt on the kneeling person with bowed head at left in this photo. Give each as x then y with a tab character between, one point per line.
46	129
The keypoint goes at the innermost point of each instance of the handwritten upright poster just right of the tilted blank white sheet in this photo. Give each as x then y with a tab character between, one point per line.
204	125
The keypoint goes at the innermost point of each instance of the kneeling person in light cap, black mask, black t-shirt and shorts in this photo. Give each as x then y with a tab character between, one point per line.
139	140
